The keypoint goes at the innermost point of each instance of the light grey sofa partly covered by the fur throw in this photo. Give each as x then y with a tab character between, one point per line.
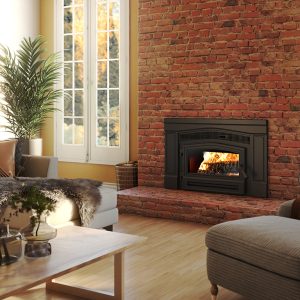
67	212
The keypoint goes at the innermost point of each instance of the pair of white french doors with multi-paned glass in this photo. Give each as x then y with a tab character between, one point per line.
92	121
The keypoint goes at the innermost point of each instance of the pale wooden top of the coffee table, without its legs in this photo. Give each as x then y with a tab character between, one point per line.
73	248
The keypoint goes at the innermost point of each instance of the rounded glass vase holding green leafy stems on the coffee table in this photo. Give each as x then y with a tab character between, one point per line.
37	235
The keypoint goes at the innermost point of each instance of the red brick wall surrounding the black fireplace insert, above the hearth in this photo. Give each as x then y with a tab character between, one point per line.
221	59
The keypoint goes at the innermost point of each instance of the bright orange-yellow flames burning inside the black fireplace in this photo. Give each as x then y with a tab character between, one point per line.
217	157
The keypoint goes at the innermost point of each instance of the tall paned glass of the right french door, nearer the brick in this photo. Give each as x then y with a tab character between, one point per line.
108	48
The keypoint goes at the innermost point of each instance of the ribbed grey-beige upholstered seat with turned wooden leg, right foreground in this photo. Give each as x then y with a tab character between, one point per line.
258	257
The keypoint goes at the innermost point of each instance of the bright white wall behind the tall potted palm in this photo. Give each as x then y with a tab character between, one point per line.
18	19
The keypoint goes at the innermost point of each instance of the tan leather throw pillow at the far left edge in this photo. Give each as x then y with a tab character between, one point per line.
7	158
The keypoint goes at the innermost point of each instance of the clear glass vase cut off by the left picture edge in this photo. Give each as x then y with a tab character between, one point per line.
10	247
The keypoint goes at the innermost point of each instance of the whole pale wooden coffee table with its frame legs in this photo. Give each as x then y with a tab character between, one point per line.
73	248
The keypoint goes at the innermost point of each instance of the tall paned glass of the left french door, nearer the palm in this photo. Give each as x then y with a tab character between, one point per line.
74	95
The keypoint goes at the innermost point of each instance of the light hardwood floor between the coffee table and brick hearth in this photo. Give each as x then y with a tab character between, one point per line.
171	265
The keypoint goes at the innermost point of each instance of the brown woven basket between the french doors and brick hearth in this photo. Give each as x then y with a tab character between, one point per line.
127	175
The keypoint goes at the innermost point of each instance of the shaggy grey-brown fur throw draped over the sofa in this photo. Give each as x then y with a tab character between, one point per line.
84	192
